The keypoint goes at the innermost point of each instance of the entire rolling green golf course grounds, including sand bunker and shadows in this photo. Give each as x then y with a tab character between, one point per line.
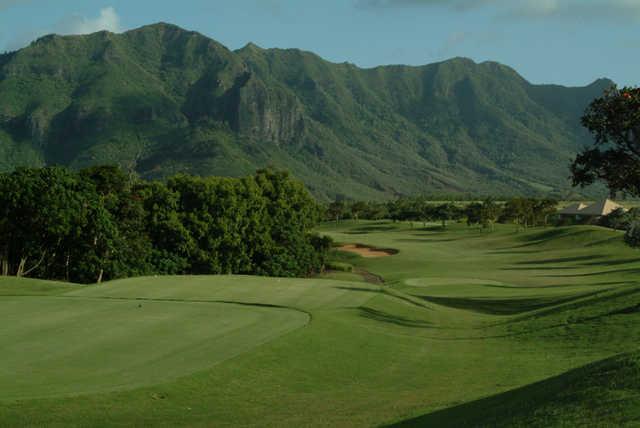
410	326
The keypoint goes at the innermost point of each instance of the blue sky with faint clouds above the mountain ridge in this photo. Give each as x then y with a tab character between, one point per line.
568	42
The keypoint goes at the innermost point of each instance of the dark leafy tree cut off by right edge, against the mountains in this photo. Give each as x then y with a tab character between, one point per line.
614	120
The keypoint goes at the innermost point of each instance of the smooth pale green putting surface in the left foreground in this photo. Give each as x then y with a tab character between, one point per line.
75	345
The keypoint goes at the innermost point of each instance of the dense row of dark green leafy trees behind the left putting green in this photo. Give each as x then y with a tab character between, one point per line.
99	224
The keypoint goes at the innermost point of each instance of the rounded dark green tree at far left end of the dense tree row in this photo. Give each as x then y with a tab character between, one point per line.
55	226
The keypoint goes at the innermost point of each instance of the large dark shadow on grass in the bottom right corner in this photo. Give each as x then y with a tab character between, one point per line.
601	393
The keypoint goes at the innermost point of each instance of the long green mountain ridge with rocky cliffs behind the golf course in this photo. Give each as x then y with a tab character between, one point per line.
160	99
